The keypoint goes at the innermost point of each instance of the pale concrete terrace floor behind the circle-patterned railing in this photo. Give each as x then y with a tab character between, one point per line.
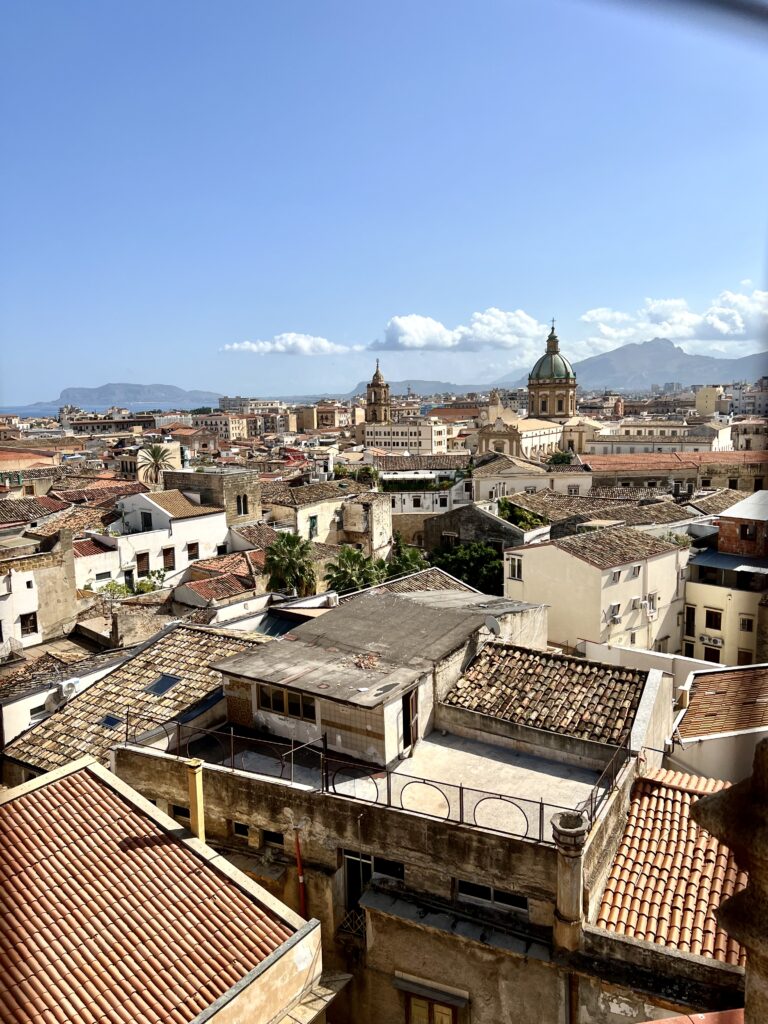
450	778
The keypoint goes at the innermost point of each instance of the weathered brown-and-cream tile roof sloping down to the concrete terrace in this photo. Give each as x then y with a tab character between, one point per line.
556	693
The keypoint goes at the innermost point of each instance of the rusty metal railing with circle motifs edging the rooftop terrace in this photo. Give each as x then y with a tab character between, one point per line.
311	765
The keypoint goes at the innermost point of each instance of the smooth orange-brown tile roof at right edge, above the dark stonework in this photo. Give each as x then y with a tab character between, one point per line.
728	702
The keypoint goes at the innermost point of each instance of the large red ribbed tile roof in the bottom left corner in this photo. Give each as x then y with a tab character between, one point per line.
115	919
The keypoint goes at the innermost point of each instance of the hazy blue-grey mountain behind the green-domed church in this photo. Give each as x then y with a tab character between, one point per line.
639	366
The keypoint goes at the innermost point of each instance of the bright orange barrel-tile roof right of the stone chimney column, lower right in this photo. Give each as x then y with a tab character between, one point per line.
670	876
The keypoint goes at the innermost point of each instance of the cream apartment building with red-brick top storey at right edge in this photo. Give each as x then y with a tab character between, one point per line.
727	595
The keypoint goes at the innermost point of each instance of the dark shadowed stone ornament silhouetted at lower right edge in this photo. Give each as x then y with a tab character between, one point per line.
739	817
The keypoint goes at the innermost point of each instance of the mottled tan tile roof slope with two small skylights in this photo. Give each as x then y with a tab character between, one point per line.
78	729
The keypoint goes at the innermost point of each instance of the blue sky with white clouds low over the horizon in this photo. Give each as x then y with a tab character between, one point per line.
303	182
